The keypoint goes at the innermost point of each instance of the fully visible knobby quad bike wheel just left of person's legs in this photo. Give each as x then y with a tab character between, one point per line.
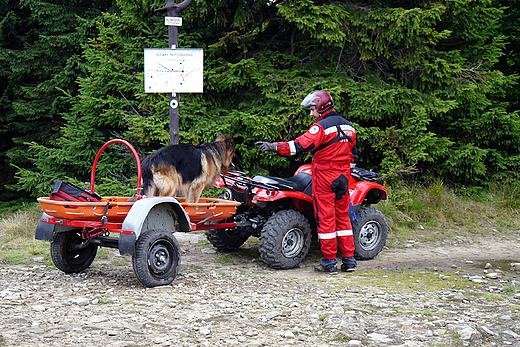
285	239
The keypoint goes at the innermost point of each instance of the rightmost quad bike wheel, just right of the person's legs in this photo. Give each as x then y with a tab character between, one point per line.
370	232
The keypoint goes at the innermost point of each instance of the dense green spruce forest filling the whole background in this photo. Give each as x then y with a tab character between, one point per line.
431	86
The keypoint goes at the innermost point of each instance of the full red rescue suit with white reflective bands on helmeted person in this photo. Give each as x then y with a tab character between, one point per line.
332	140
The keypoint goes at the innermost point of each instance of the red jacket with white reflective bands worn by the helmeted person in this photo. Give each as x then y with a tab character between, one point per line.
331	139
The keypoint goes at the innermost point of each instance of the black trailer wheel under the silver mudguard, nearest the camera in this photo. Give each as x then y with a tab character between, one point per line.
157	258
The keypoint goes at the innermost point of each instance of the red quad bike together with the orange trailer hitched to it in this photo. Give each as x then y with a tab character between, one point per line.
278	211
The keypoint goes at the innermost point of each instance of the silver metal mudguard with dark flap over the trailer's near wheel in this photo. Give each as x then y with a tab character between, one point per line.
160	213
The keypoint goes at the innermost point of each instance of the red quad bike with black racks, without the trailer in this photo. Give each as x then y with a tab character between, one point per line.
279	212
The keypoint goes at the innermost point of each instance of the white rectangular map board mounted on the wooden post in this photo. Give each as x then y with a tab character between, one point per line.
173	70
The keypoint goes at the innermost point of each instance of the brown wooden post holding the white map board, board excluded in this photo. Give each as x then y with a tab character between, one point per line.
173	10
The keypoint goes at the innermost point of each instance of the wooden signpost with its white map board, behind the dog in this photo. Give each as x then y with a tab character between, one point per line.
172	67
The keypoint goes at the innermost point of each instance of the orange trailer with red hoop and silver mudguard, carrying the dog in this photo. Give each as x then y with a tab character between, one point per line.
139	226
